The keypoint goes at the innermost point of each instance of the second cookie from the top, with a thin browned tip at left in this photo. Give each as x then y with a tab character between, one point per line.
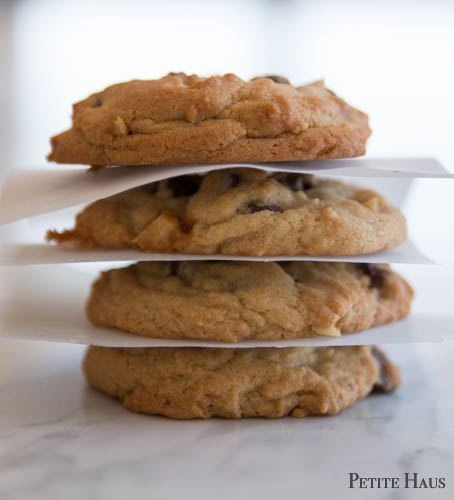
241	212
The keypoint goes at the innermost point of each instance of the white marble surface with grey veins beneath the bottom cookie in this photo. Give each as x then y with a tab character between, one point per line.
61	440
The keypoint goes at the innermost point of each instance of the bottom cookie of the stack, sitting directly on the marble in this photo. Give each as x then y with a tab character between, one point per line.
186	383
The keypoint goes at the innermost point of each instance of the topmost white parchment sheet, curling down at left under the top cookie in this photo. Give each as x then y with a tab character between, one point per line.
31	192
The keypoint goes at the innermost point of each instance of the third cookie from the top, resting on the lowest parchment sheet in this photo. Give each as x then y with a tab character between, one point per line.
233	301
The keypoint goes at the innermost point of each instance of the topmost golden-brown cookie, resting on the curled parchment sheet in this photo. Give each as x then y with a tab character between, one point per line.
181	119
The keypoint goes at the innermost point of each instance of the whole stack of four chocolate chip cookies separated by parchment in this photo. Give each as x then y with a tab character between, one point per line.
226	212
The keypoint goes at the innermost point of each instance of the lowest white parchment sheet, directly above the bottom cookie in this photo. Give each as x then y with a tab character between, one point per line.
41	304
